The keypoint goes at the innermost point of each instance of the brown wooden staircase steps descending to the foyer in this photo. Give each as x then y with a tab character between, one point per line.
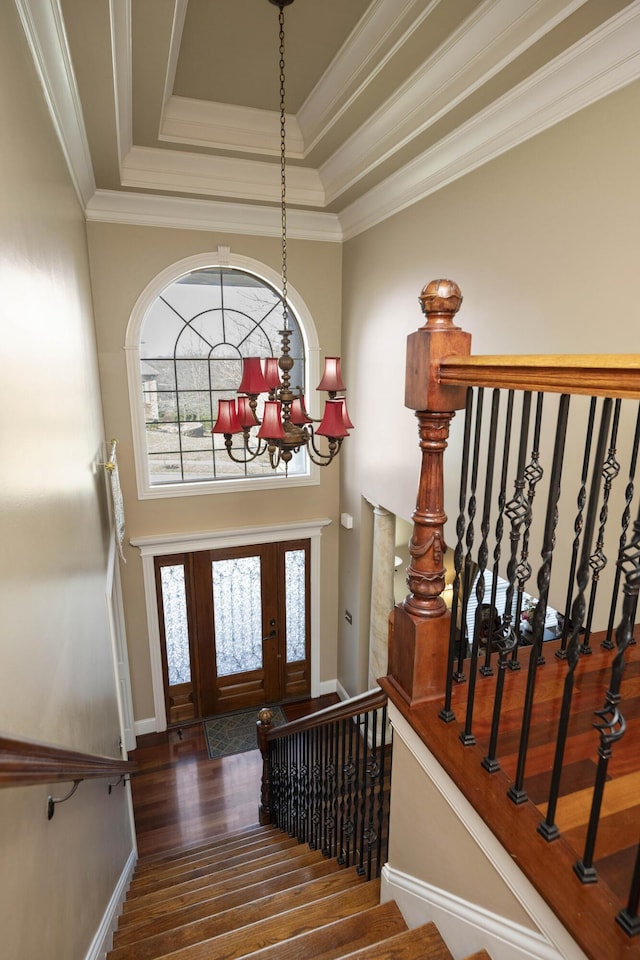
261	894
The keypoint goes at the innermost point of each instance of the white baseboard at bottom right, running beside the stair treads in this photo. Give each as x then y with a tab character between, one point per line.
464	927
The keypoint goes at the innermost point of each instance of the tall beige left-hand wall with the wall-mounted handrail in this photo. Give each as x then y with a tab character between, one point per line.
57	675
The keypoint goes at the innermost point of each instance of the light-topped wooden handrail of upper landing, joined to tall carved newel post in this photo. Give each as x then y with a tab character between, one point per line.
608	375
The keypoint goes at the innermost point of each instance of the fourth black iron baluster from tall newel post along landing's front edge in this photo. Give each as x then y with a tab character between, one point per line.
516	792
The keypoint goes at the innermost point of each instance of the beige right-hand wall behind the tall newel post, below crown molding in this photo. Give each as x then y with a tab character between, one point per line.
543	242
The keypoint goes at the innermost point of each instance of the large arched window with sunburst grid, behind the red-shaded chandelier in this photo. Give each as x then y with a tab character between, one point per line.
185	342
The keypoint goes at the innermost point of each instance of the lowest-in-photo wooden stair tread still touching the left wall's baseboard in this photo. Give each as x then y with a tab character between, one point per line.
313	892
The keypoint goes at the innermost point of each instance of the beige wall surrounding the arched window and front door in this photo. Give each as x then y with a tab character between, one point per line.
124	260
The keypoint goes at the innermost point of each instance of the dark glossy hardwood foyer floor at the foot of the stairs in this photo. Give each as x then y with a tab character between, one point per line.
181	797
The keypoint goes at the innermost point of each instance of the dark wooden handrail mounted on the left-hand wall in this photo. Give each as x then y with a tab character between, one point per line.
25	762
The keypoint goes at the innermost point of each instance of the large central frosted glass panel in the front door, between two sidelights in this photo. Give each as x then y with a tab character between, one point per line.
237	614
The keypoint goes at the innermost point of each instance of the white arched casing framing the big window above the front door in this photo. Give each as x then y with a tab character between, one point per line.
223	258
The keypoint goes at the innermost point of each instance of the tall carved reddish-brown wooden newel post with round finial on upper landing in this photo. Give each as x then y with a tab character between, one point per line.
420	633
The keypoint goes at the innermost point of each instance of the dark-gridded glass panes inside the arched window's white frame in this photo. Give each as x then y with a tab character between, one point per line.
192	342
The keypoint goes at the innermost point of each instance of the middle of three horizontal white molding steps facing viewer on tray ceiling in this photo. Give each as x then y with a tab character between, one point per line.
151	168
